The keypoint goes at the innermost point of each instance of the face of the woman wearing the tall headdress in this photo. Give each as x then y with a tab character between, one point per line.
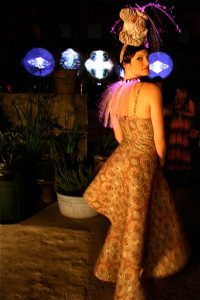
139	65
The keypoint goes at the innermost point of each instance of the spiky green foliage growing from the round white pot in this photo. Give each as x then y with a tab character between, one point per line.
72	173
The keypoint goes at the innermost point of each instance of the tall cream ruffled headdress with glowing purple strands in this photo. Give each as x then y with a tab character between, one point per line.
132	26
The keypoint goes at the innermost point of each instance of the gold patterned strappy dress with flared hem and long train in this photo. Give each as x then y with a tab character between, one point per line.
145	237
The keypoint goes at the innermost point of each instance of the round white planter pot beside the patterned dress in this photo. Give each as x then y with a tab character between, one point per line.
74	207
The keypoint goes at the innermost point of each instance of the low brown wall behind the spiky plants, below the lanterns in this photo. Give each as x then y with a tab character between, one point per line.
62	106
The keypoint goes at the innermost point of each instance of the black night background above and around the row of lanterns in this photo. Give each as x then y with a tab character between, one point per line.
85	26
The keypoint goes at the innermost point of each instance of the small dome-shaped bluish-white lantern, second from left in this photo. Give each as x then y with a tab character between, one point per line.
70	60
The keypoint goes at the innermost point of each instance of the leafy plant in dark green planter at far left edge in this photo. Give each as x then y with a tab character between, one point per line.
12	187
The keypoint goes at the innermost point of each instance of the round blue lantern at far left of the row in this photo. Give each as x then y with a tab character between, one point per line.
39	62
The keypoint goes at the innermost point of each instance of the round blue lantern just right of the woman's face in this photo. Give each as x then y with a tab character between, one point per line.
161	64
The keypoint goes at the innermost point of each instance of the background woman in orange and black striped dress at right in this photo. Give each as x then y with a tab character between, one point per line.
178	156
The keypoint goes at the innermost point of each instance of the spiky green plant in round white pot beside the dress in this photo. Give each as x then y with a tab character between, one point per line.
72	174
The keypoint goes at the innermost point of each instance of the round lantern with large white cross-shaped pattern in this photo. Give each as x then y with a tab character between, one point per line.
99	65
